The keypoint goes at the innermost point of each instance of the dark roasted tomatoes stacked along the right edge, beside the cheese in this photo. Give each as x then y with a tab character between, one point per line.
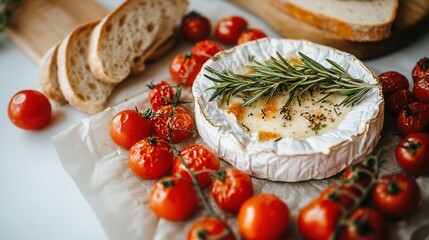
411	109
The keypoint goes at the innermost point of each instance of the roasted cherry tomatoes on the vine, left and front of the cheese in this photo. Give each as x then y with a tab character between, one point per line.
151	136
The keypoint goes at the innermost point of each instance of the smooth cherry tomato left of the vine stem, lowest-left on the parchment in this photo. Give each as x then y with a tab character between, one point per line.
173	199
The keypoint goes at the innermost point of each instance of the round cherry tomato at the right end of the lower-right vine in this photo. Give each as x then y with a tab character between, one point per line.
396	196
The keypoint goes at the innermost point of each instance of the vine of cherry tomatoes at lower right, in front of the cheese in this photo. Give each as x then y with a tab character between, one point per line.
343	212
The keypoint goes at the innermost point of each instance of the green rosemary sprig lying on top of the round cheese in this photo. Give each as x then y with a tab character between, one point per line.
279	74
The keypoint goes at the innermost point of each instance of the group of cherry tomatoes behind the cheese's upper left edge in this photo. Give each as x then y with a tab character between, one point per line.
196	28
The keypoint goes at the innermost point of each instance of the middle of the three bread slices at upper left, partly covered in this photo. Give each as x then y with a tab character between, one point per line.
80	88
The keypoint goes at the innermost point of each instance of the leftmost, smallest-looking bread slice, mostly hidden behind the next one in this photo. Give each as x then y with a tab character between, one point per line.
48	77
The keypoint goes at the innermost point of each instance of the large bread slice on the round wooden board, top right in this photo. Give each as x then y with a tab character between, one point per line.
354	20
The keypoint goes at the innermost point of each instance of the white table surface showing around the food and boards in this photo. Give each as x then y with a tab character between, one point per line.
38	199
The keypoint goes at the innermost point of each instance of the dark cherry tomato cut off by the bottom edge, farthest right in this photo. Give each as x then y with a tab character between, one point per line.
365	224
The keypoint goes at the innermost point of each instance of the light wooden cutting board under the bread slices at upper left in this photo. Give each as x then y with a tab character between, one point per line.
40	24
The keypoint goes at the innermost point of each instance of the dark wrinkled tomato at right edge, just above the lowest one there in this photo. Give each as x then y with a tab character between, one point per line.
413	118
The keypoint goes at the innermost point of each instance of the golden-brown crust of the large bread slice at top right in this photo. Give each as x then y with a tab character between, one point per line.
348	31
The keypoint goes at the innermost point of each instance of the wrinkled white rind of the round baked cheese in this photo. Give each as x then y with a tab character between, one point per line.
289	159
